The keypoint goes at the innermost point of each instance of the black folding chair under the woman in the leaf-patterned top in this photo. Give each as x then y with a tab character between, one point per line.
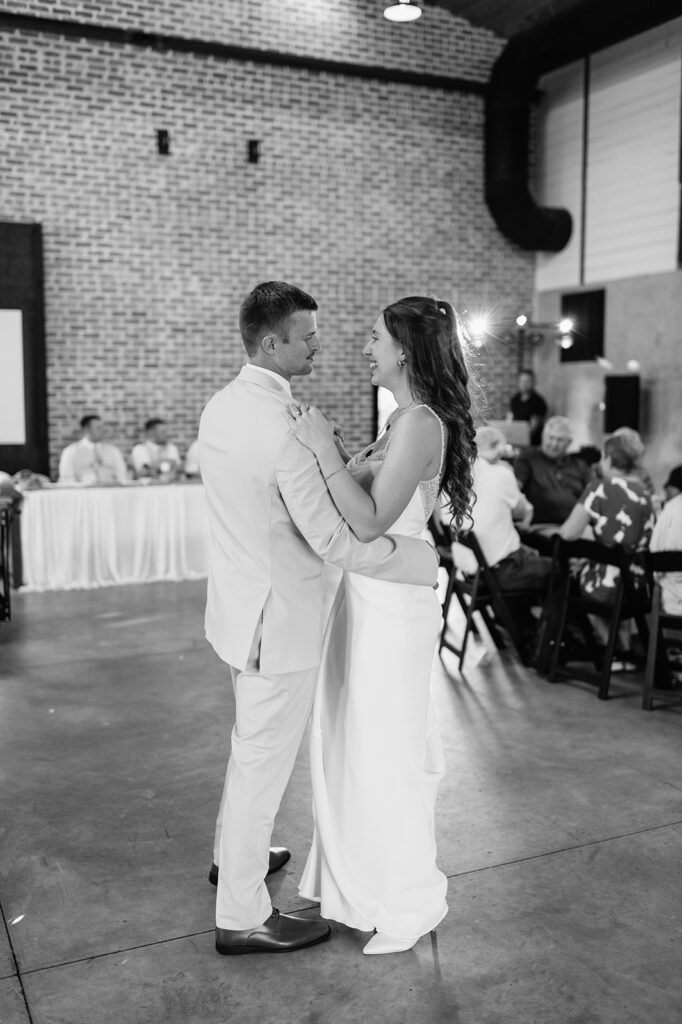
574	606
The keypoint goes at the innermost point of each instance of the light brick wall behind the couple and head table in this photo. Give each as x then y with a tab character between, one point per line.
365	191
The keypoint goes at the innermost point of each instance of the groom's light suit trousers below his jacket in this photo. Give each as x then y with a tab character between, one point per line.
272	716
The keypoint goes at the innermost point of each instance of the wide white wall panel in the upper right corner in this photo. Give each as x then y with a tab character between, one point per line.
633	157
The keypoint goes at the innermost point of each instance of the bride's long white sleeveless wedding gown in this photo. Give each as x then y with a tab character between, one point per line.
376	756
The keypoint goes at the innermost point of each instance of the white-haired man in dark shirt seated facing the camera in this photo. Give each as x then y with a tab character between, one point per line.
550	478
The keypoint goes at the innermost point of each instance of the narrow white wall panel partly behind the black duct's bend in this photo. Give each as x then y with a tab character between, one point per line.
560	169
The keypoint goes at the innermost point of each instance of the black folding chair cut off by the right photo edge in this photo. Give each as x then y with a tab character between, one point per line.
658	670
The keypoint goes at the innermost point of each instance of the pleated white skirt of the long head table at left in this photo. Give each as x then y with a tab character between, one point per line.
98	537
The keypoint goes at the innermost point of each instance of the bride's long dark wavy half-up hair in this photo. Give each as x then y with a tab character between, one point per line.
430	332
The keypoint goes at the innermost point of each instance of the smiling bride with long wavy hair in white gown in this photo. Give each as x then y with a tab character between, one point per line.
375	749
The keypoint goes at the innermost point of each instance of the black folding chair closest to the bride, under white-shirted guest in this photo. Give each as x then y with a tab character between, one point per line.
483	593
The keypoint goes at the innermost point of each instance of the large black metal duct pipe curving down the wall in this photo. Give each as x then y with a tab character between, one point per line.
591	26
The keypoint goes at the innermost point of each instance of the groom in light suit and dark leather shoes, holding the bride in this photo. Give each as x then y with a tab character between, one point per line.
273	524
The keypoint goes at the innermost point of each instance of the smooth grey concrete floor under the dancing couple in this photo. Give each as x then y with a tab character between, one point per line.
560	828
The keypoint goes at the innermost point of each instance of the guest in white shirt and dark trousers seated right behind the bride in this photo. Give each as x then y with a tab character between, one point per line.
499	504
